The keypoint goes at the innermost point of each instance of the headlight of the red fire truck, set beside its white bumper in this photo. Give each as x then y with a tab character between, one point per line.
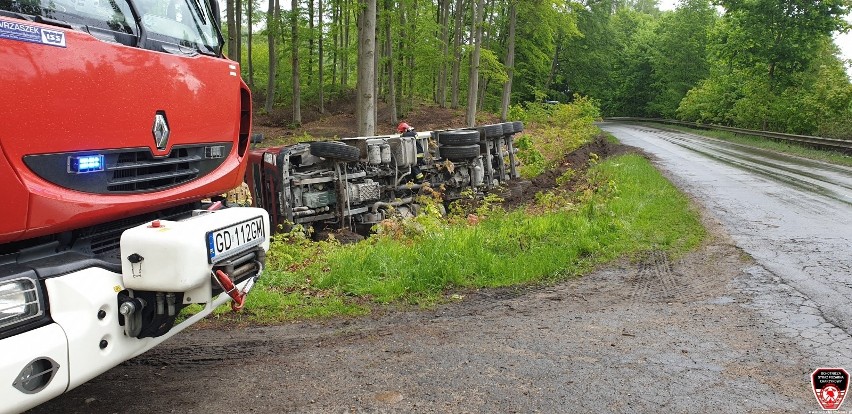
20	301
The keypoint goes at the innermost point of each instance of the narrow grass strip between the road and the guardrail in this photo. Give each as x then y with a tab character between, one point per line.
829	156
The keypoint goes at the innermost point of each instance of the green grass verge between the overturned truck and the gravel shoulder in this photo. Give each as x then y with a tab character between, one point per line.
627	210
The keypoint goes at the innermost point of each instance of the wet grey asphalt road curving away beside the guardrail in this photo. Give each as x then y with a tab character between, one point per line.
793	216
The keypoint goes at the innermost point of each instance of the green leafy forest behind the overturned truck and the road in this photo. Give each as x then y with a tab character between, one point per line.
760	64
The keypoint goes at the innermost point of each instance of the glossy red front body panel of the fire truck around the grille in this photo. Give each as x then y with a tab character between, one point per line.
92	96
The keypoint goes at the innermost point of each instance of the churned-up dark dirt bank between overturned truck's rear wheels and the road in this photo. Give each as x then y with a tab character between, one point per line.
520	192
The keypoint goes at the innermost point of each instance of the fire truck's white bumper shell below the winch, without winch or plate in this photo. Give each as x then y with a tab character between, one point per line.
82	343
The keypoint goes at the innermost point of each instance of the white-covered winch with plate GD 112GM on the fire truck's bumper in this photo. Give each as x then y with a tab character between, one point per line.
167	265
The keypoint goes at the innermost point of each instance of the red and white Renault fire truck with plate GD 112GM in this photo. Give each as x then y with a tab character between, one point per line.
122	125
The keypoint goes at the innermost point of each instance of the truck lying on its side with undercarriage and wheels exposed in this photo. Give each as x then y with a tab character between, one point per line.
355	183
